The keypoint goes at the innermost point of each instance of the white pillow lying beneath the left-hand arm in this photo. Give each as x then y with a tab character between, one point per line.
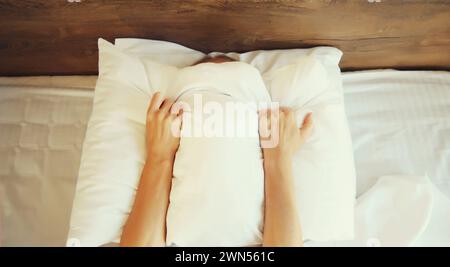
113	150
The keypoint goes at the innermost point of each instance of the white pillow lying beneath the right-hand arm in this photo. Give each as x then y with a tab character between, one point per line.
324	167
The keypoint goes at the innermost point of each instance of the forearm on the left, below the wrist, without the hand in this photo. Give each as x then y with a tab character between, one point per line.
146	224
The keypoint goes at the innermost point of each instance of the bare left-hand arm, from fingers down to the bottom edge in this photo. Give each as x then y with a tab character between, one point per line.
146	224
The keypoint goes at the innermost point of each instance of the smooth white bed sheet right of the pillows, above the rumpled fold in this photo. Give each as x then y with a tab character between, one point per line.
400	124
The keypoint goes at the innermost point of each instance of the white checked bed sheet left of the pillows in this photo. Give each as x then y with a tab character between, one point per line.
42	125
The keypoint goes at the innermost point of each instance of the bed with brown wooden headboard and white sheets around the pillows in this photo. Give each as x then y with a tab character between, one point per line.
399	119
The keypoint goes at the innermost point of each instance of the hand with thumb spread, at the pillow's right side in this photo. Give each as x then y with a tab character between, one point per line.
290	138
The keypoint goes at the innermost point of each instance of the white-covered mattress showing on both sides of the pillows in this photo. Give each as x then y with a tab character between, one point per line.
400	124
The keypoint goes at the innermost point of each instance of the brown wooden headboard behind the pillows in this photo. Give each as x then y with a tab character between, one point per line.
55	37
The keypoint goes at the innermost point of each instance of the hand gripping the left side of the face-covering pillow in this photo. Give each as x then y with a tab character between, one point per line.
163	128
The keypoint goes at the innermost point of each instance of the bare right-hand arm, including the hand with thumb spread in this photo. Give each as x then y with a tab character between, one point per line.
281	221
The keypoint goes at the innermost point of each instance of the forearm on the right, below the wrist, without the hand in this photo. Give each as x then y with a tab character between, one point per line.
281	223
